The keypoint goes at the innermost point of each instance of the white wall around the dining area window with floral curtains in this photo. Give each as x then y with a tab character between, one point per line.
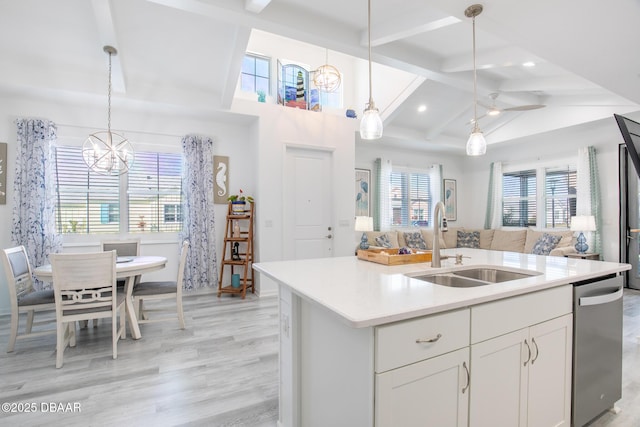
234	136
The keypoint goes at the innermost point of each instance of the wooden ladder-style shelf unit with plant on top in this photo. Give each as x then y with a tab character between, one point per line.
244	243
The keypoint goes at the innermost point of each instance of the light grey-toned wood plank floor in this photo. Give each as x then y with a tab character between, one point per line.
220	371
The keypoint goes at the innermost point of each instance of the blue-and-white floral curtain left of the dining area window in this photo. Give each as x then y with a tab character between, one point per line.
34	192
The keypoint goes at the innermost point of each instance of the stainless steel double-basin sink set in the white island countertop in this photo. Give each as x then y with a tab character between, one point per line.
474	276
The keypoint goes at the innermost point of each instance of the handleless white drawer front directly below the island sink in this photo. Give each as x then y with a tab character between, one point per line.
500	317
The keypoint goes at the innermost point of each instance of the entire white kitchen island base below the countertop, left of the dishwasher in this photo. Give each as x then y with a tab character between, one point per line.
464	367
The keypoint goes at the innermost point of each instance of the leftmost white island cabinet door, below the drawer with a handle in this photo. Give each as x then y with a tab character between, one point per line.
433	392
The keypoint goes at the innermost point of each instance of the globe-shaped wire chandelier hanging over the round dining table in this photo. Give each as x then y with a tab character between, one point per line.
106	152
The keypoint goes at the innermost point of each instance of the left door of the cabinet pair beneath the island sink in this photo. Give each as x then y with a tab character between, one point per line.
499	381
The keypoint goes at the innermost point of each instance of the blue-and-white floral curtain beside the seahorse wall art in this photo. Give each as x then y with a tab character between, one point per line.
201	269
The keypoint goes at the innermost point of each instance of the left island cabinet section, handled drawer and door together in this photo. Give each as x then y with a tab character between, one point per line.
422	371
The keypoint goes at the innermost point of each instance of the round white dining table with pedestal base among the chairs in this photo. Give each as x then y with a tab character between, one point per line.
128	268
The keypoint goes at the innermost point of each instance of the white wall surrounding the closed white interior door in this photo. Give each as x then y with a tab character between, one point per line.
278	127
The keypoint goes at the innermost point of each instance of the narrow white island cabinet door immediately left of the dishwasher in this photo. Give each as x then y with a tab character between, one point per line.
549	398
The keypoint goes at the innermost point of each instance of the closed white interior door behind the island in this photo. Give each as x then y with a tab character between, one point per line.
308	230
